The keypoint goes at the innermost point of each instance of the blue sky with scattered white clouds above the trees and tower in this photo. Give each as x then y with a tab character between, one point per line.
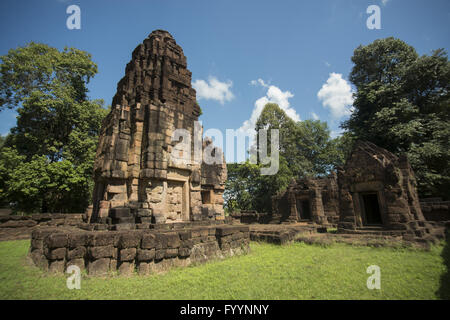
241	53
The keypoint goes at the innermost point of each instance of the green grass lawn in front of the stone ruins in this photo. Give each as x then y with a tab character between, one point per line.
296	271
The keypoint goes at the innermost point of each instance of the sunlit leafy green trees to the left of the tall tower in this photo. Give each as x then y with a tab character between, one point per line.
46	162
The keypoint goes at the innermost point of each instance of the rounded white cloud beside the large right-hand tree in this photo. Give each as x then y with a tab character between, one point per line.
336	95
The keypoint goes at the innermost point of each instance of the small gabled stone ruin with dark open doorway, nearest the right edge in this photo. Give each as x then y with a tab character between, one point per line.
377	188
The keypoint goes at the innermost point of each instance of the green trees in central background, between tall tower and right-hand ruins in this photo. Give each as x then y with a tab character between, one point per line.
306	149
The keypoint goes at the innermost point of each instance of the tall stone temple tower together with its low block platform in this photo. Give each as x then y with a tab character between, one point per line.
158	194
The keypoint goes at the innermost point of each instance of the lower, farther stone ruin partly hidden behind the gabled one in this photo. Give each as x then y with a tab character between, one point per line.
314	200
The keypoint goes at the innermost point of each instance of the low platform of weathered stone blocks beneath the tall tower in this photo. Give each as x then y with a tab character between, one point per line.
144	251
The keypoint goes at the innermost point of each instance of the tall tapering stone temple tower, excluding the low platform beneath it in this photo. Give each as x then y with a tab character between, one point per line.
137	177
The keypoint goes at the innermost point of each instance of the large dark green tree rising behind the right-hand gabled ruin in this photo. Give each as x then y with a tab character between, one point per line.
402	103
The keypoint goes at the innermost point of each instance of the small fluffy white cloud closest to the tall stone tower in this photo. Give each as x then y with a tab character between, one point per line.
214	90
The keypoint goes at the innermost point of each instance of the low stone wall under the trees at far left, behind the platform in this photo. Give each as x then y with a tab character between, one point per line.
20	227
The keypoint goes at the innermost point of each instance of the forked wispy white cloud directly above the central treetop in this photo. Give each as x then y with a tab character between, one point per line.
274	95
